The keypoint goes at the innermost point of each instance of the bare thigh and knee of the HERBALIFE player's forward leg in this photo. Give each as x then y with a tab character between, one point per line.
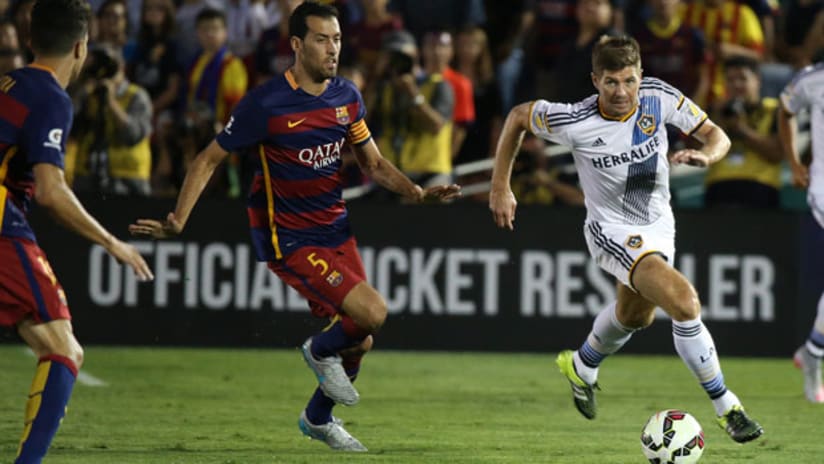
664	286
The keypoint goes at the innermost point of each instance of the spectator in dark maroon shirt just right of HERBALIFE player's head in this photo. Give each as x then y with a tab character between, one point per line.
673	51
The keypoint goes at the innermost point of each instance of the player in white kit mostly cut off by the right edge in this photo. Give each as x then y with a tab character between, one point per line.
806	91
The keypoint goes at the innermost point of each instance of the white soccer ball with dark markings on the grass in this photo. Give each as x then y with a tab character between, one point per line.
672	437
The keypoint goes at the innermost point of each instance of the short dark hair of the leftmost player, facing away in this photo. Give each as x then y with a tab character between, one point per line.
57	24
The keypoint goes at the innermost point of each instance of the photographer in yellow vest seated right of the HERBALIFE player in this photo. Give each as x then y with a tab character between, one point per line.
750	175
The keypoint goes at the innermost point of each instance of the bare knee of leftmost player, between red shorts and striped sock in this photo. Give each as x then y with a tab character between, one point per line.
55	337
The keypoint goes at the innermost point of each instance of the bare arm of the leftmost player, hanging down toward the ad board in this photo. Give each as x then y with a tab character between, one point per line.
52	193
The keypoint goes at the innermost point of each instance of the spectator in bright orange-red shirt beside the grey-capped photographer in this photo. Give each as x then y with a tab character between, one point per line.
437	54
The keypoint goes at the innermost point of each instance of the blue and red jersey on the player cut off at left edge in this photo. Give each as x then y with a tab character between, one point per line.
35	115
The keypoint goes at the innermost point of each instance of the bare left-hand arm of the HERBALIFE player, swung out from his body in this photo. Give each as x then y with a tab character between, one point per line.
502	201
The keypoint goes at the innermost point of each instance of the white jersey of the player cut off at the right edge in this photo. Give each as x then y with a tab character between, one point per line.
807	91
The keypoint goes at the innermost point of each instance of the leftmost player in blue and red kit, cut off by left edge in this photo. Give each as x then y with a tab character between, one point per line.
35	115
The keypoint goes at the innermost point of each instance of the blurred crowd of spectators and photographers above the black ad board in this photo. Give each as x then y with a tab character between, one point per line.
438	77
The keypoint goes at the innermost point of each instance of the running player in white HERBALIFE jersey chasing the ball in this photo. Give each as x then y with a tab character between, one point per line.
619	143
